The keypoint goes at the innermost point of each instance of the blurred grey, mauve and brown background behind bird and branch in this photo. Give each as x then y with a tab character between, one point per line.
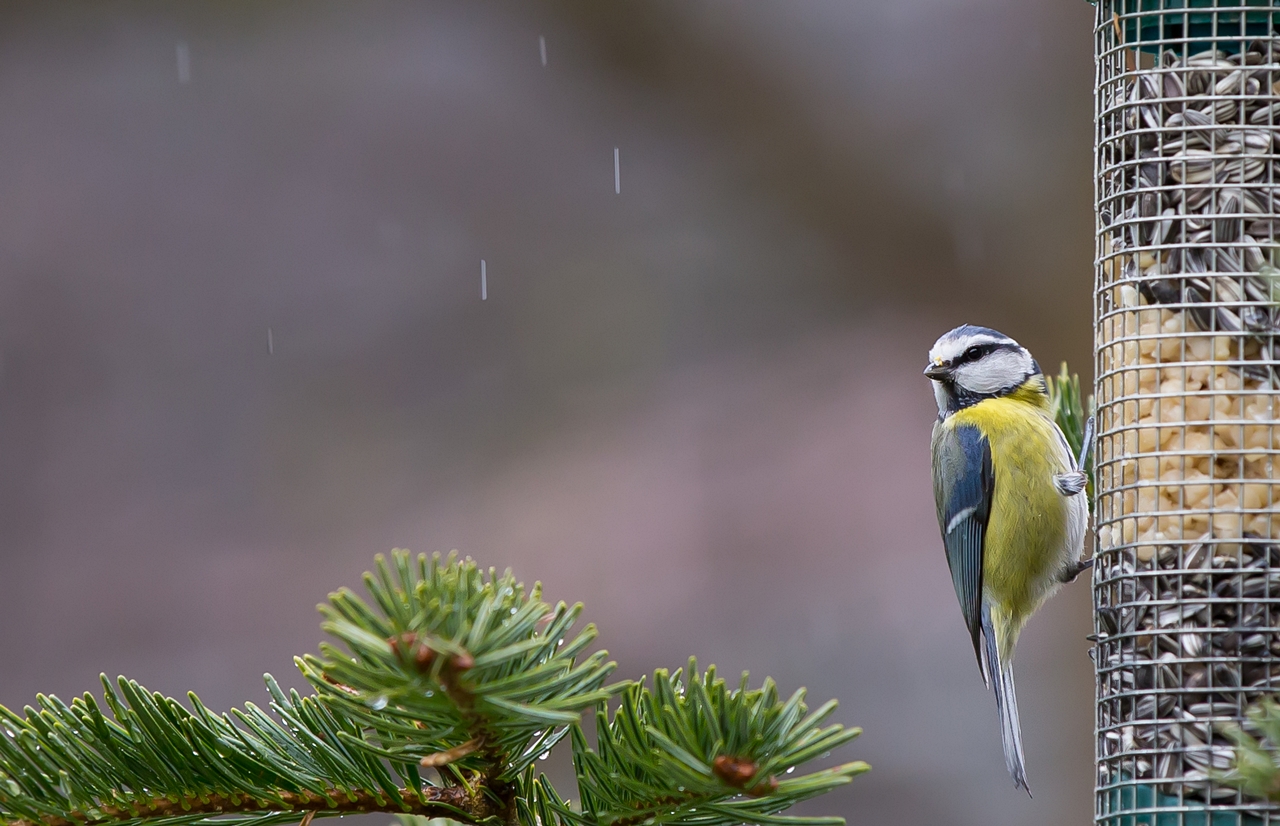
696	405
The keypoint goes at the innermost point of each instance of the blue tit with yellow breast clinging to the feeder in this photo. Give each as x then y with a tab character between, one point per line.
1009	496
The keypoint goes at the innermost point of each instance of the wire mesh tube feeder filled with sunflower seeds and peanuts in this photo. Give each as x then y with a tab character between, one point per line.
1187	581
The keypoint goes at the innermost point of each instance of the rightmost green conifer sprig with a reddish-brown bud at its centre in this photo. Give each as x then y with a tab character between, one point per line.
694	752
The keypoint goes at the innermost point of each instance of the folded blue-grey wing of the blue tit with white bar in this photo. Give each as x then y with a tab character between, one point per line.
964	486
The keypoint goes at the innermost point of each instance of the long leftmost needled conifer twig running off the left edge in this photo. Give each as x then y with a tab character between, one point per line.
156	761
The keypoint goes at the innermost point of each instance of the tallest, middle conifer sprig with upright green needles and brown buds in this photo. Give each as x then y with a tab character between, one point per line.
479	672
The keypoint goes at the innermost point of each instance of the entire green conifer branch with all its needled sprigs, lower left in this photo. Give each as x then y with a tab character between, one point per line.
451	670
